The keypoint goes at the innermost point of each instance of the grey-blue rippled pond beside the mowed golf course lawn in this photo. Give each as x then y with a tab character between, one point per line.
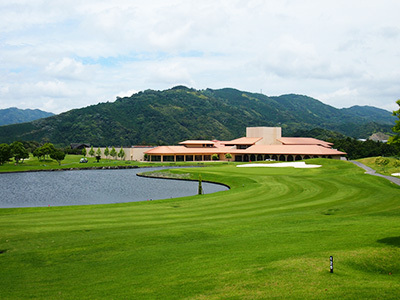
33	189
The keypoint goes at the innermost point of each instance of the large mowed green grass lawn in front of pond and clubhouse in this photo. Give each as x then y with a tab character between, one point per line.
270	236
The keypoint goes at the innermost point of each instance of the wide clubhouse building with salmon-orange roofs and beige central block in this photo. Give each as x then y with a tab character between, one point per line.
259	144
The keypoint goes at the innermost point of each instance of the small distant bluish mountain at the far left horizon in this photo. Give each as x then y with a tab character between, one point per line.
14	115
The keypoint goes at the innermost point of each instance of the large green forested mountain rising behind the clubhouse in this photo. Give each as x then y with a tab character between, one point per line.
170	116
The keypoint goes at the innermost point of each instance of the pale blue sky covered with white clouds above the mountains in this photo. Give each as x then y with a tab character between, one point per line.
60	55
